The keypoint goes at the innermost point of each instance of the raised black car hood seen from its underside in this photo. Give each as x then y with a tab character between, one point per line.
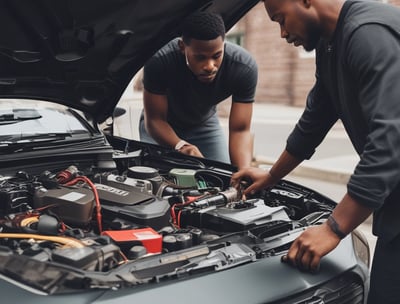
83	54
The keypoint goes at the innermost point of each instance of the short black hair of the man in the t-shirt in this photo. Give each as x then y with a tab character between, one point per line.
203	26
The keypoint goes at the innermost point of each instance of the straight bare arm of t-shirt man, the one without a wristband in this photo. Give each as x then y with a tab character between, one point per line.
240	138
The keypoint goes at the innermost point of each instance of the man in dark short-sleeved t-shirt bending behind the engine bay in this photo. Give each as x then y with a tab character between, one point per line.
183	83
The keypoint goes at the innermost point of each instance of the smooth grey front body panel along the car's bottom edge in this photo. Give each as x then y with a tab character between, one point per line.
265	281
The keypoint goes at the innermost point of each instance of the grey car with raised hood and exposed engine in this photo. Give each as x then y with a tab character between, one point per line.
89	217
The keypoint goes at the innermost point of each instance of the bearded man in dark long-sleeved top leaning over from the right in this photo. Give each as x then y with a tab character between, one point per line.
357	47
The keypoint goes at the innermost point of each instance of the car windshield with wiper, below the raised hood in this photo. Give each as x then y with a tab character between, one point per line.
34	120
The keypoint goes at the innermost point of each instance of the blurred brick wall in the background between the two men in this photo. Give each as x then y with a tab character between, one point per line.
286	73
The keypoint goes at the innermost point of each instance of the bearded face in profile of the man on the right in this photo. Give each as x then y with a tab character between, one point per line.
298	21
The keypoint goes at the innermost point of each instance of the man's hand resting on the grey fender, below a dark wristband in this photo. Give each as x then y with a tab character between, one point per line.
308	249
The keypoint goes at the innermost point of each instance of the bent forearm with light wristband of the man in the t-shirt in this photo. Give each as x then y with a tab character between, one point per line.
155	120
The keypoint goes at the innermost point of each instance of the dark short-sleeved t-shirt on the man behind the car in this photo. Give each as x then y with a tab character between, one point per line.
191	102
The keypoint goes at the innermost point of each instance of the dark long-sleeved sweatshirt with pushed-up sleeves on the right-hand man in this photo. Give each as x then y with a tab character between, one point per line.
358	82
